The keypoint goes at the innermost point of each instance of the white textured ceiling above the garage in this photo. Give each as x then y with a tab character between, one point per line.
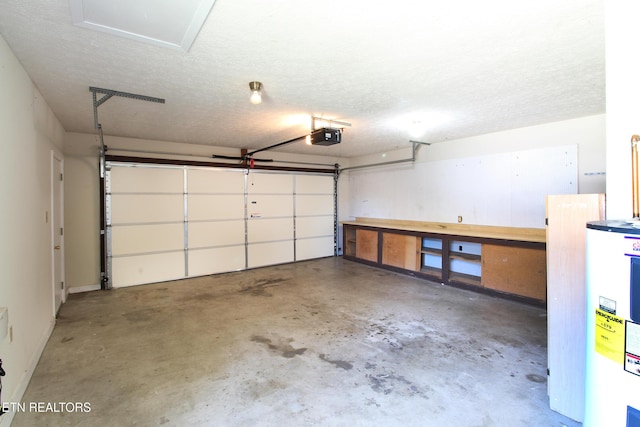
456	69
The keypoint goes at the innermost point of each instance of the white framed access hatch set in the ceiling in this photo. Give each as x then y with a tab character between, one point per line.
166	23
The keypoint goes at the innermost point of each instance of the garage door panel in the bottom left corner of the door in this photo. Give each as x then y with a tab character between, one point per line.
141	269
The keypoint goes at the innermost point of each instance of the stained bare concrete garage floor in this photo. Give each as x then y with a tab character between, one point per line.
318	343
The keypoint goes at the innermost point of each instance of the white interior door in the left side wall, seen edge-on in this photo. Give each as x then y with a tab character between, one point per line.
57	230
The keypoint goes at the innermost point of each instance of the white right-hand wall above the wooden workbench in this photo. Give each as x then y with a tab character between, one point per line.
479	177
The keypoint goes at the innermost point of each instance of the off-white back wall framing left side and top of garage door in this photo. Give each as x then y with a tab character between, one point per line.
82	198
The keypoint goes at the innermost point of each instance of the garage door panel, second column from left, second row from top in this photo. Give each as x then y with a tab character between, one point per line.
205	207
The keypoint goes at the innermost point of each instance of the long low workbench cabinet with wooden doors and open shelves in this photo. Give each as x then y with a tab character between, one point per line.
497	260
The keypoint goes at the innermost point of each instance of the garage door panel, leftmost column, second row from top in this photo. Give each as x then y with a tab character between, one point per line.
146	208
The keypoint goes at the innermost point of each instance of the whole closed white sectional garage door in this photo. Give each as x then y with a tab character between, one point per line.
172	222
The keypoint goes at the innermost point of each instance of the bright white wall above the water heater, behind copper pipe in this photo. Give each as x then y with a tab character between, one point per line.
623	101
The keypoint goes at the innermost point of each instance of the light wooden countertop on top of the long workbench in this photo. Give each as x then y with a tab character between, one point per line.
519	234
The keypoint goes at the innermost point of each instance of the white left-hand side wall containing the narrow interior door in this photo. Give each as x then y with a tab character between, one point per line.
28	131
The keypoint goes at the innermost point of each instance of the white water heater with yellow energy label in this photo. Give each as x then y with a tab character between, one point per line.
613	325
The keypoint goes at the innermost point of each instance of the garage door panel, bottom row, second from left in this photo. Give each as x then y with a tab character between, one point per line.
216	260
